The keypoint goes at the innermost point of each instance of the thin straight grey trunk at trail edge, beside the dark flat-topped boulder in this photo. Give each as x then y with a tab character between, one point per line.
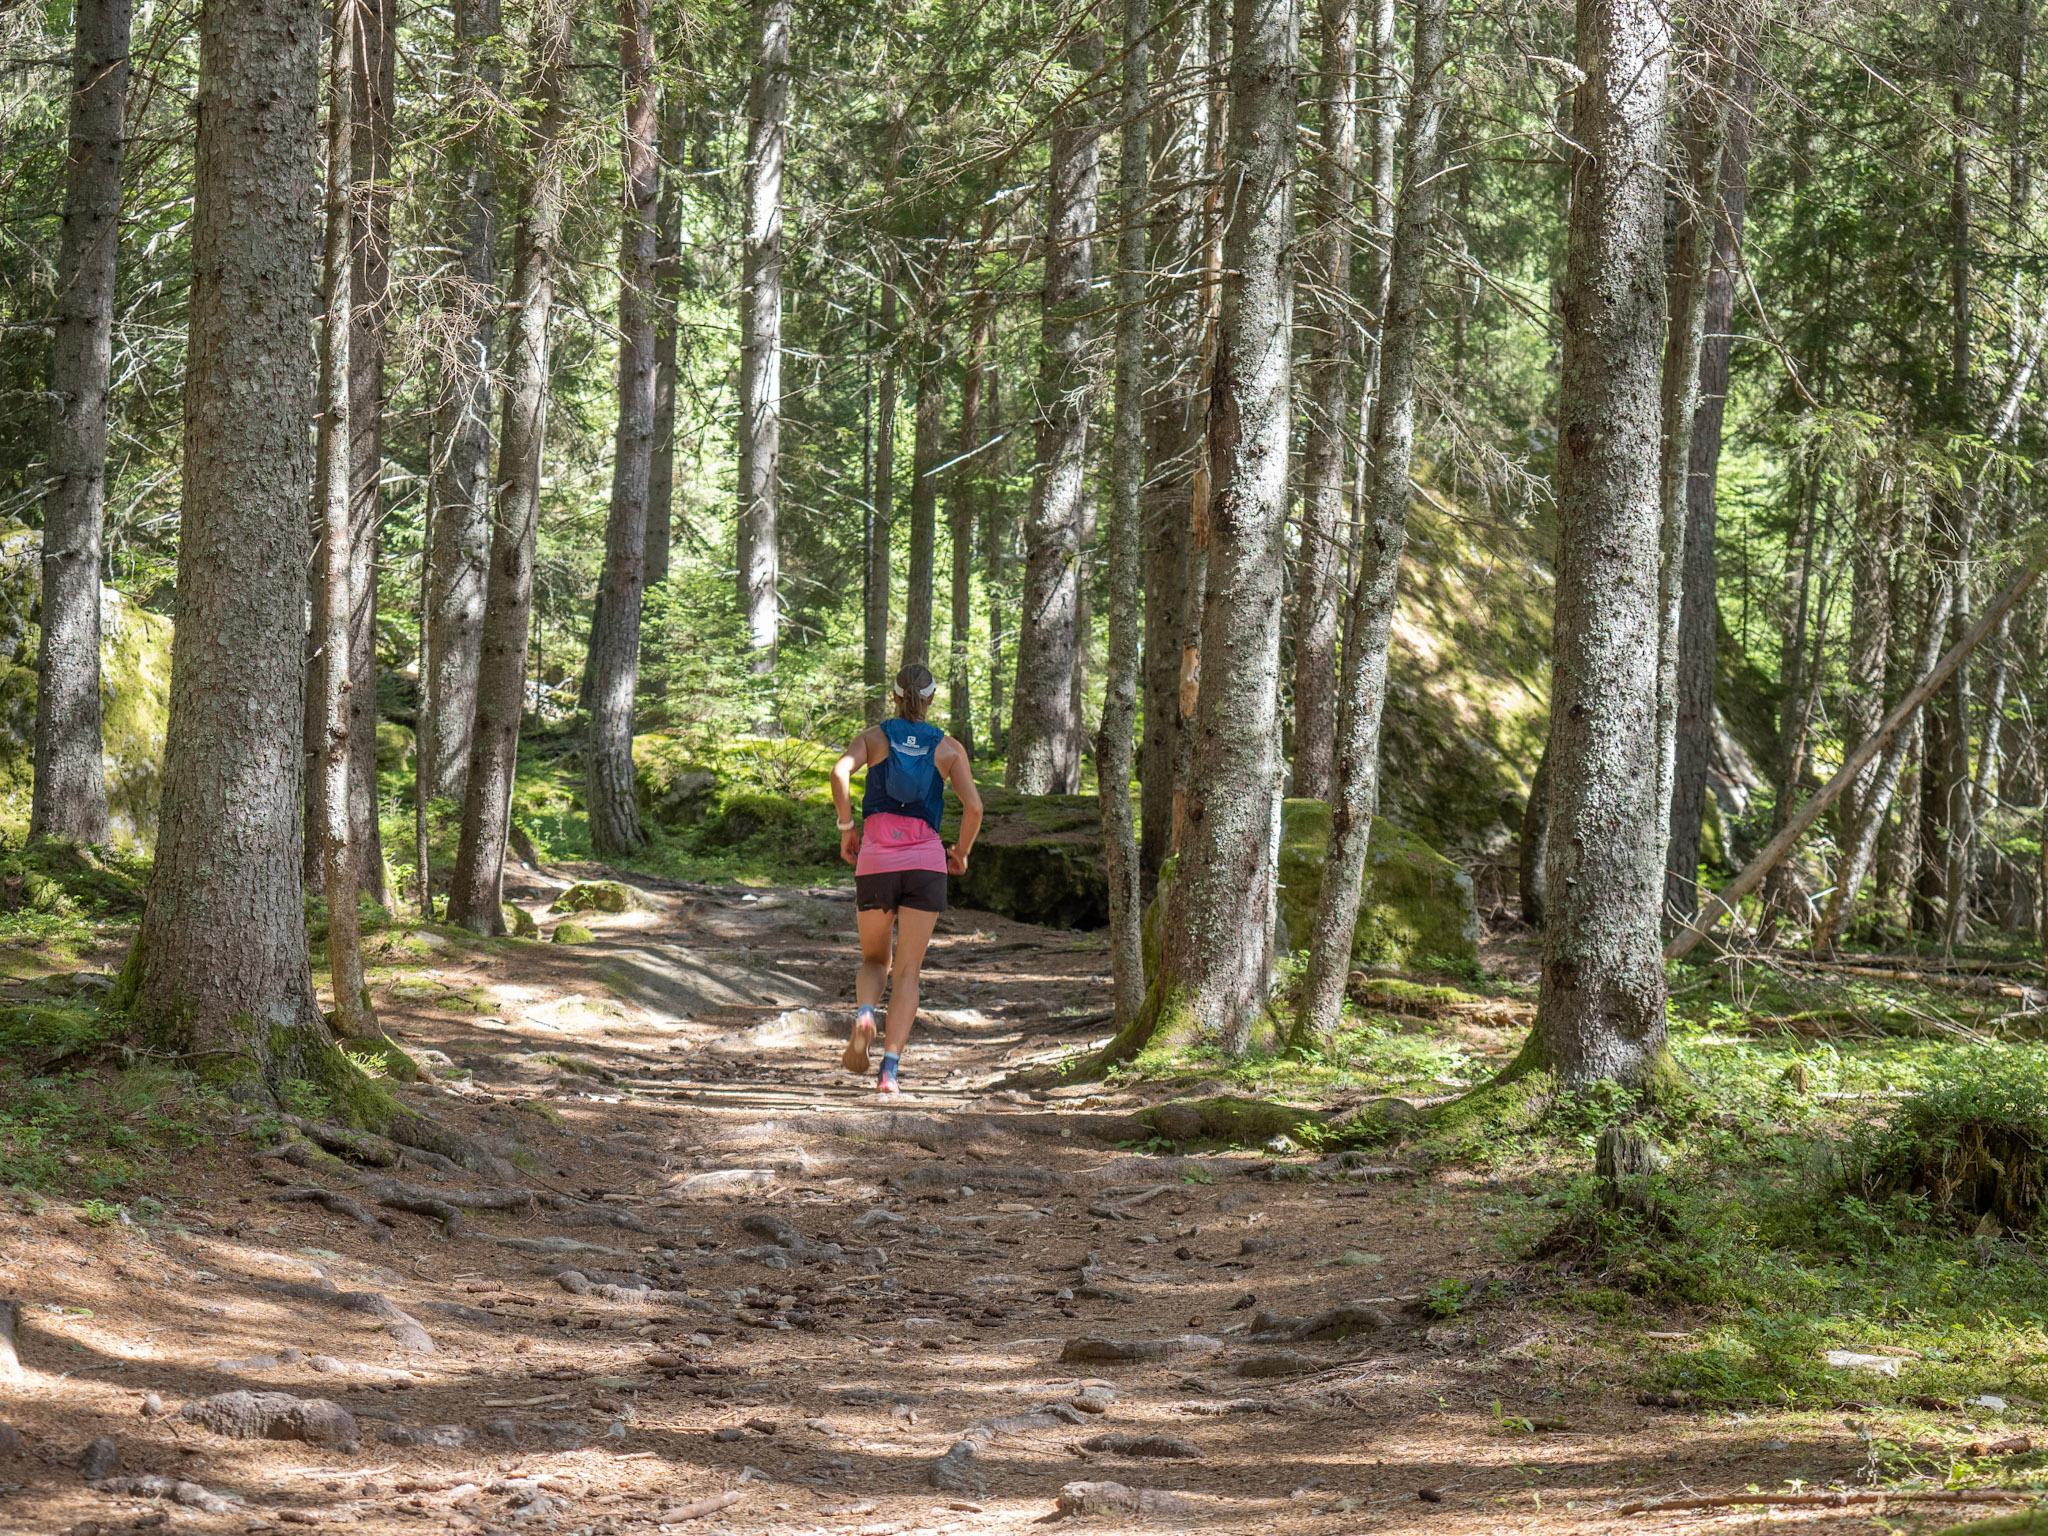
1115	744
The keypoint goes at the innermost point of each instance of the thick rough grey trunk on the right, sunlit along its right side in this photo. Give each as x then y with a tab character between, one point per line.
1603	1002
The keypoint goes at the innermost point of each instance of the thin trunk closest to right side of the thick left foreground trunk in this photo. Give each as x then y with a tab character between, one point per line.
333	673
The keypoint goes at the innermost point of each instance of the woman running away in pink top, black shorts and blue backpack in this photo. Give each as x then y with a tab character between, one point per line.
900	863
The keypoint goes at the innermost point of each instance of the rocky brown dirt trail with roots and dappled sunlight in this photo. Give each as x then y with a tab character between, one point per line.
759	1302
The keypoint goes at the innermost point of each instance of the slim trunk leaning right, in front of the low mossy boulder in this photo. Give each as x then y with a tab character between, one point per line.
1369	622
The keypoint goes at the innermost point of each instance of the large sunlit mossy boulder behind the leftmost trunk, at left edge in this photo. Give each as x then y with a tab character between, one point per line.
134	697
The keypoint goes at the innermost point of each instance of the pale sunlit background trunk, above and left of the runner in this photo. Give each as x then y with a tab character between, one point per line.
761	333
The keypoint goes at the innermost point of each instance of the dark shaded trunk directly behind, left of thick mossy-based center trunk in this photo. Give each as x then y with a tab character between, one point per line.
1172	433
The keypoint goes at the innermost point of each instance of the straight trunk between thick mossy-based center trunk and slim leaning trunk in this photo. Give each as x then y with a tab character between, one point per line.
1328	409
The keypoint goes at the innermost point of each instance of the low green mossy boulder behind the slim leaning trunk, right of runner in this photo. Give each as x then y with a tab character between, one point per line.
1418	908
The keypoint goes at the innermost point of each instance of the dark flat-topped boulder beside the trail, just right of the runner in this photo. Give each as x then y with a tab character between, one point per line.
1039	859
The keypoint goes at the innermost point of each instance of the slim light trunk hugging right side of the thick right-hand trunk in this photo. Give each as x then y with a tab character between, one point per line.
1709	58
